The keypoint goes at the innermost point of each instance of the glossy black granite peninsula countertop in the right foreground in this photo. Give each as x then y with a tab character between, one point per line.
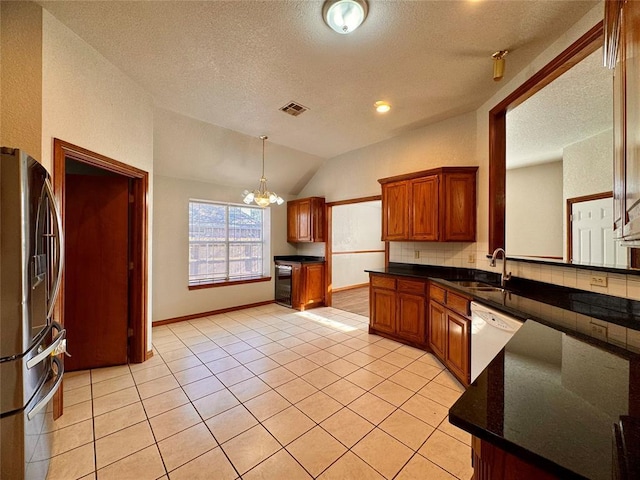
552	399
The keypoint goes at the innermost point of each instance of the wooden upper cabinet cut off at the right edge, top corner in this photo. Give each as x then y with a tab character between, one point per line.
622	28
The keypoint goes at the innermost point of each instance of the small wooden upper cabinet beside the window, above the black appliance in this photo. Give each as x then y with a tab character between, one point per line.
305	220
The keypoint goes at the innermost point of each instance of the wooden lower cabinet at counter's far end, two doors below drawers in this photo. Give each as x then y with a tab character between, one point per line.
398	308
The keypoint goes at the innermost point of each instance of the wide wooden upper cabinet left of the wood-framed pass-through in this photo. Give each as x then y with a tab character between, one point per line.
432	205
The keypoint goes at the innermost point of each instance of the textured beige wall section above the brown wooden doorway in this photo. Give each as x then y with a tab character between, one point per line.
89	102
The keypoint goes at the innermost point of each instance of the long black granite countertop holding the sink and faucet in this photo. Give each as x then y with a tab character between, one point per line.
526	299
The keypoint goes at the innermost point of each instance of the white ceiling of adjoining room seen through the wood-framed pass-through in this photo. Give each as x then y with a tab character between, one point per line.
574	107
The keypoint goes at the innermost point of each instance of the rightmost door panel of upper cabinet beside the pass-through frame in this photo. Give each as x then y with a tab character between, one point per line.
459	216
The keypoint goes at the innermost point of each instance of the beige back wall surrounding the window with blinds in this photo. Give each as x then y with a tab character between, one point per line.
171	296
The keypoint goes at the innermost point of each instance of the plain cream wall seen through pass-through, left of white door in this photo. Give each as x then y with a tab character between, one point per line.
535	210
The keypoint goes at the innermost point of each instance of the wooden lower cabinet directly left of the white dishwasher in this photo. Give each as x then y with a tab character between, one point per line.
449	331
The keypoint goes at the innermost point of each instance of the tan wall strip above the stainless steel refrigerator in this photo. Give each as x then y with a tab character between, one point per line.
21	77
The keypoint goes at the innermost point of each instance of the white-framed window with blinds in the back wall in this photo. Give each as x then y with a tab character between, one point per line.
227	242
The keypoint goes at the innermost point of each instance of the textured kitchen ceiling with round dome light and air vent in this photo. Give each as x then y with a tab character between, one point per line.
235	63
